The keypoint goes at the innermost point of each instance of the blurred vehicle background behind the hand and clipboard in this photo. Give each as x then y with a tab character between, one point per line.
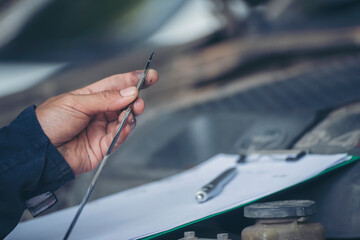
235	75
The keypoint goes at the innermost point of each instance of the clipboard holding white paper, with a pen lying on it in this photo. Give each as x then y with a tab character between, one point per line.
154	209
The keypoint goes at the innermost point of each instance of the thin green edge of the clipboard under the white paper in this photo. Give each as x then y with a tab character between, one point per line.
353	159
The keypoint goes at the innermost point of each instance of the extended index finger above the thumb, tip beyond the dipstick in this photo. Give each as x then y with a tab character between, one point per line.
120	81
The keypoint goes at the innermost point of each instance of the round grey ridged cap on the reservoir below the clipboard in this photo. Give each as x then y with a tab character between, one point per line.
281	209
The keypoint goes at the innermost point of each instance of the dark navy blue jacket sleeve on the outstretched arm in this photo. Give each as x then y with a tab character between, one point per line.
29	166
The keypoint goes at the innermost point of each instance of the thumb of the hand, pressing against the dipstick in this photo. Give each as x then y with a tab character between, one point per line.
105	101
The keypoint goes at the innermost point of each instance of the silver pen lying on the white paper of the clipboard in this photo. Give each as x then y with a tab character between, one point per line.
215	187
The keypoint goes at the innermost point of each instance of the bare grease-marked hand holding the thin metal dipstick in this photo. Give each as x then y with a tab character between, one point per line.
81	124
